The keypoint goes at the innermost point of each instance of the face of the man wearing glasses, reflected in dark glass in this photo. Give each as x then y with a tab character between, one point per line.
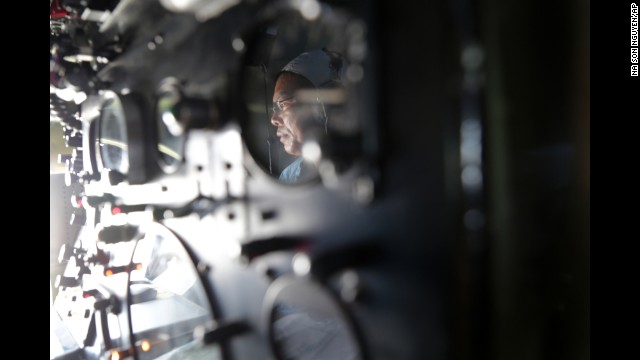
284	116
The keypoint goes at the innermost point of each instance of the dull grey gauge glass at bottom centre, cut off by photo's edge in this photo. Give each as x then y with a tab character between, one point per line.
307	323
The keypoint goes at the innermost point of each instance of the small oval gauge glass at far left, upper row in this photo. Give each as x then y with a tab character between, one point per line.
113	136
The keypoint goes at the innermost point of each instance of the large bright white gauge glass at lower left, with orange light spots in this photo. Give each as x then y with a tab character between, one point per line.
168	301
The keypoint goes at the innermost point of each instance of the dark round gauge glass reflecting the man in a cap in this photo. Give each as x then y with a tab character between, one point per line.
297	94
